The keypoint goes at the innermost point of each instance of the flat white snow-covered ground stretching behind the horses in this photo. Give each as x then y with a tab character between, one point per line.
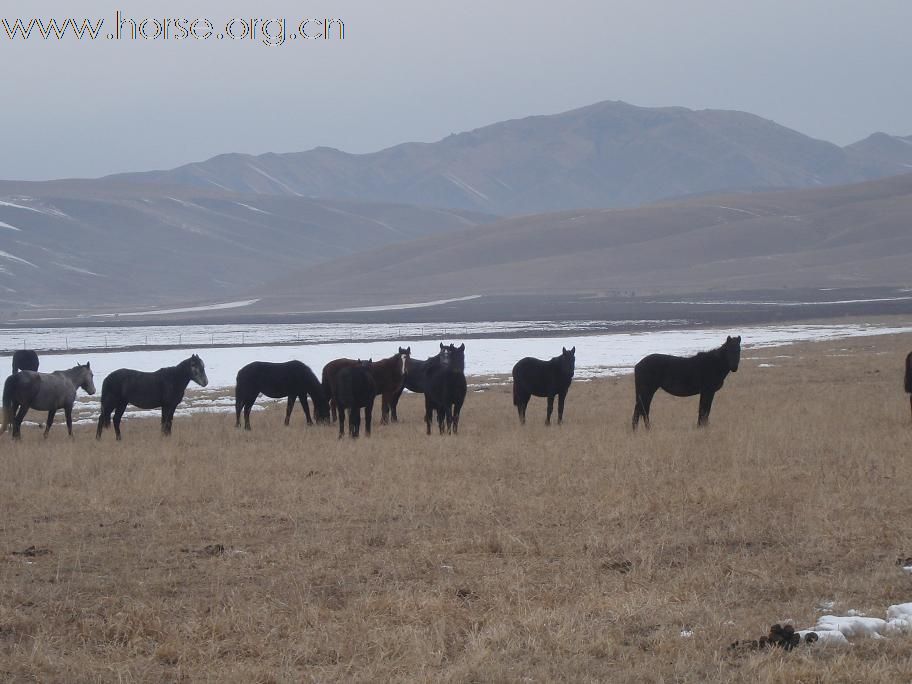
596	355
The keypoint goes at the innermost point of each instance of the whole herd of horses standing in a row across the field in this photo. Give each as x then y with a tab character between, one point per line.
352	385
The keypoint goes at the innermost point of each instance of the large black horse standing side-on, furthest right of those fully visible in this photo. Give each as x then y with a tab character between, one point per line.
701	374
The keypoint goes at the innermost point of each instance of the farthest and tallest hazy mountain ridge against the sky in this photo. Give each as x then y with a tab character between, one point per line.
609	154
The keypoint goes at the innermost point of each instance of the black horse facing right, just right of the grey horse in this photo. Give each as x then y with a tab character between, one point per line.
163	388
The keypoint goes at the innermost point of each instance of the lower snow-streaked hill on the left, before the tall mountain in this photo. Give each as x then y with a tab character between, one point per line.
87	244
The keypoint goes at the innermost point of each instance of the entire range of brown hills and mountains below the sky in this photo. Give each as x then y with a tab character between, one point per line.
606	197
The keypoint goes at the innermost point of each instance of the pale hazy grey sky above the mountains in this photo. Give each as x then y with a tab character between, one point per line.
420	70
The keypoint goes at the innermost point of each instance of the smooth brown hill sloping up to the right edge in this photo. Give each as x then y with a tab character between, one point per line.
849	236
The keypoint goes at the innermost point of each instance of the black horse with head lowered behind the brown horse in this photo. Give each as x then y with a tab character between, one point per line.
291	379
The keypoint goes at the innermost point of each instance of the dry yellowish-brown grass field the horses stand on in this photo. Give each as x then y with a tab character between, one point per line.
532	554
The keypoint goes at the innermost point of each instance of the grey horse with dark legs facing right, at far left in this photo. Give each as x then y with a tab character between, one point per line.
45	392
